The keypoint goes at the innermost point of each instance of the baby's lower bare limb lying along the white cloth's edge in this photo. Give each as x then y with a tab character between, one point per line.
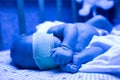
95	49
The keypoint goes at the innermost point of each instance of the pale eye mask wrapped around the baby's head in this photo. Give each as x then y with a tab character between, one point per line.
42	45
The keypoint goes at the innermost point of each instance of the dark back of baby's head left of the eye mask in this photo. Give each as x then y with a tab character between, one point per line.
21	51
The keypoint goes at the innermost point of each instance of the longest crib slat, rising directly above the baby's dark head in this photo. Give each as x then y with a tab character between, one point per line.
21	16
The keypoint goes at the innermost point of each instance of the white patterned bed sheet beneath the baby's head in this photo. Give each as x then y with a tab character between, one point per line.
10	72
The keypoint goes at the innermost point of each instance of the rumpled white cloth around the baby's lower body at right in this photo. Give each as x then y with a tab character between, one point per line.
109	61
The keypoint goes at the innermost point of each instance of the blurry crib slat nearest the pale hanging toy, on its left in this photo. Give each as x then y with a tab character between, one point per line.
74	10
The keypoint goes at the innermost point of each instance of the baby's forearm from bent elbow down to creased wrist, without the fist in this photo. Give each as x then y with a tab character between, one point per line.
70	35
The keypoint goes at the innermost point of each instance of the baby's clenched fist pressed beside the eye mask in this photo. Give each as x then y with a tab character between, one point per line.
61	55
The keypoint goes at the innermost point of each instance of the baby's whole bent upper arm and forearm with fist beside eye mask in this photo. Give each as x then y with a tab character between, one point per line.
68	35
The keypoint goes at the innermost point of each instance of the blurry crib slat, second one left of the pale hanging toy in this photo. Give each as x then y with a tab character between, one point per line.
59	9
